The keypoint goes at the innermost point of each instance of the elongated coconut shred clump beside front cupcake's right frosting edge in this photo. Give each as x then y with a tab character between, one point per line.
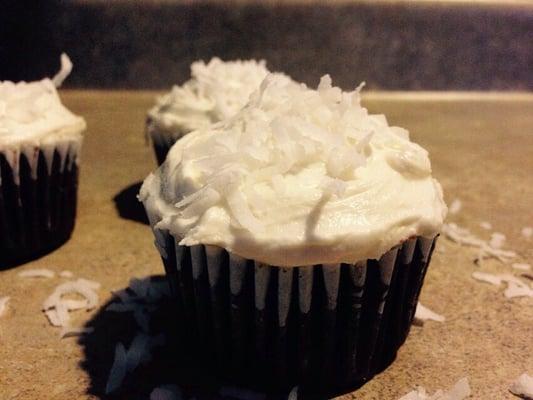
464	237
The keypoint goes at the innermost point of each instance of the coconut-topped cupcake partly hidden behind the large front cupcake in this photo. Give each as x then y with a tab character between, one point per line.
216	91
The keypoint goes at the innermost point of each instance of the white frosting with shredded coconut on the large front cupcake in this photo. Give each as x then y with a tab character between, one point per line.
297	177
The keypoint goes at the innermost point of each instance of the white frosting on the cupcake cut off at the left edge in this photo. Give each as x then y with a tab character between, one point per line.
32	118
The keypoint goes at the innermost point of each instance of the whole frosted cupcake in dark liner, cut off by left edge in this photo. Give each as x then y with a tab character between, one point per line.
39	144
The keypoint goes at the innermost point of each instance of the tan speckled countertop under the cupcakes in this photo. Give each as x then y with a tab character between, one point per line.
481	151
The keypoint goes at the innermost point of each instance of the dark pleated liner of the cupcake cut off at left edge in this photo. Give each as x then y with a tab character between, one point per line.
37	204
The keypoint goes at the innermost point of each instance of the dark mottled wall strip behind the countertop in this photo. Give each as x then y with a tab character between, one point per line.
390	45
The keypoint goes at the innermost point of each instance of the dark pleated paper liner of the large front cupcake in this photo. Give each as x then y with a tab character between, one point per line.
326	328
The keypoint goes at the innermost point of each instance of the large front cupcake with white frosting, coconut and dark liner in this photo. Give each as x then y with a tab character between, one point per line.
296	236
